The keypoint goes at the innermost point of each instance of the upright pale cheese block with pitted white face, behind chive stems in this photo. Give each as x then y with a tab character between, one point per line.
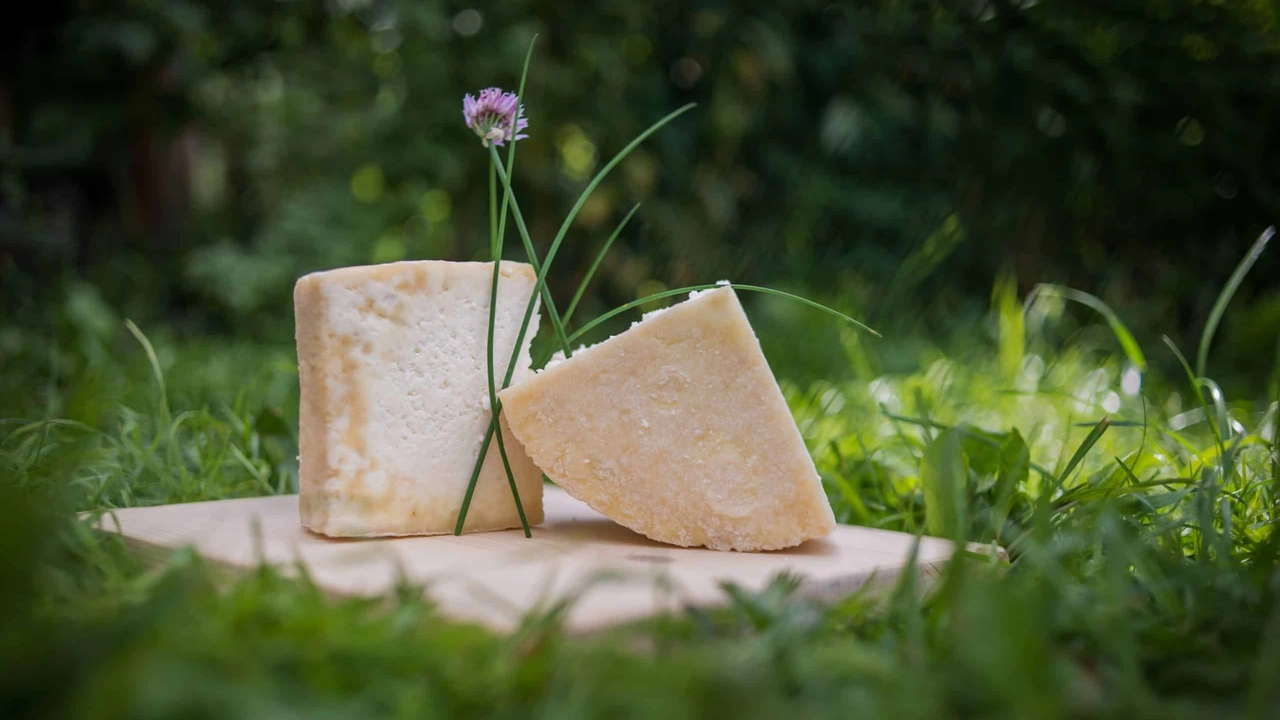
395	405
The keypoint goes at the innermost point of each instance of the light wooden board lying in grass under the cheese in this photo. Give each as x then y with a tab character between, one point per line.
496	578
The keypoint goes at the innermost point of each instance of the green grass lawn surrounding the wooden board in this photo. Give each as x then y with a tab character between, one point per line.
1141	527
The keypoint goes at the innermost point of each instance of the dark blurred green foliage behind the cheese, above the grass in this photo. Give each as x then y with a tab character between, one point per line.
181	163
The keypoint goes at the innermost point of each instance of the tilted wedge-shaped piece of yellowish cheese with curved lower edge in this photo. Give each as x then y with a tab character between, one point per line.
676	430
